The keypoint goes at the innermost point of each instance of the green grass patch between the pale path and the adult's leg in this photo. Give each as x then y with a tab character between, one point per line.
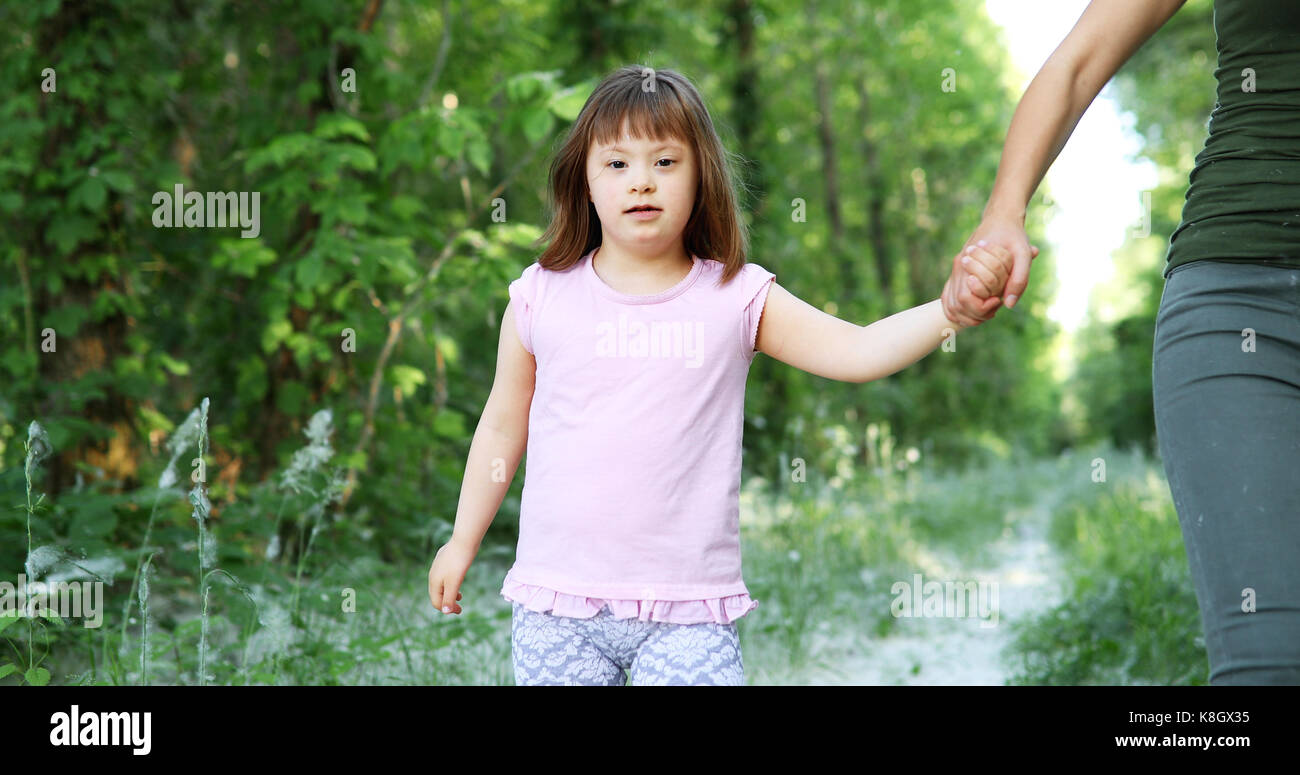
1130	614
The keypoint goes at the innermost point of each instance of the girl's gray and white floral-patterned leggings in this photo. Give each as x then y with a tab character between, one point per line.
565	651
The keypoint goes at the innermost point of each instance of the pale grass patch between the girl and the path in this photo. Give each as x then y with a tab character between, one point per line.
822	557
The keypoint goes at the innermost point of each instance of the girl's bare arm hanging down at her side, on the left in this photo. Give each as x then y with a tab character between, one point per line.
495	454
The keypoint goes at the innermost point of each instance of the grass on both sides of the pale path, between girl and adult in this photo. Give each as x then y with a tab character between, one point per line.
824	562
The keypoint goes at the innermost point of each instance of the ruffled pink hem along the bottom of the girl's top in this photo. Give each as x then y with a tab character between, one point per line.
721	611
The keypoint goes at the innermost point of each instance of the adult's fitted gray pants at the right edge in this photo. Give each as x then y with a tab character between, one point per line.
1229	426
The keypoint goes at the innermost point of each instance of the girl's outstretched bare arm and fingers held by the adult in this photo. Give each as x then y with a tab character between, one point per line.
800	335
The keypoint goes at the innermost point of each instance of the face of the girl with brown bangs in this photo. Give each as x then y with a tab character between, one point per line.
640	172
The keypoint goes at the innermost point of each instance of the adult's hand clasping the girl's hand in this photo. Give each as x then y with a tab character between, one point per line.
967	300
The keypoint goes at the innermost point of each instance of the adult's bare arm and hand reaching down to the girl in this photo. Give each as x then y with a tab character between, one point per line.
1107	34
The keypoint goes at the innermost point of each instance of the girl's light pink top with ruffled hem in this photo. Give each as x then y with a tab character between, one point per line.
632	471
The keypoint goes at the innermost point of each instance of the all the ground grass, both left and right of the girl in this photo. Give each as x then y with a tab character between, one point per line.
820	556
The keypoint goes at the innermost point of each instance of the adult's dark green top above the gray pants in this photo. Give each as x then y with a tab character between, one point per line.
1243	201
